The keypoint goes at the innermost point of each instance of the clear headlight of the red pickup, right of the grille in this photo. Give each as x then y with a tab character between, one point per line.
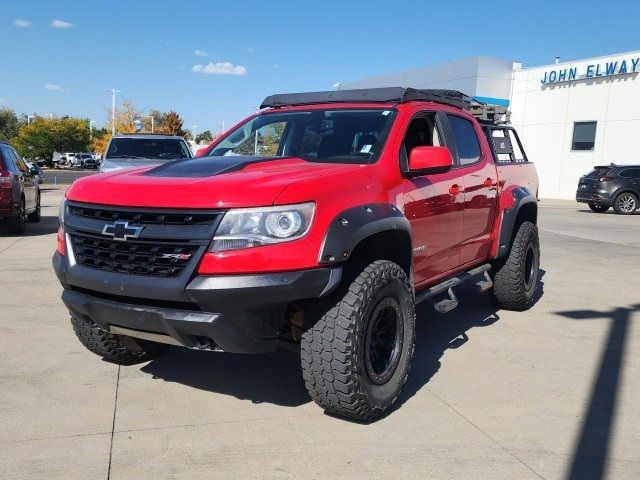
254	227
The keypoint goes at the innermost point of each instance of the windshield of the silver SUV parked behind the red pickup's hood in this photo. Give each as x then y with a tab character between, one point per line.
153	148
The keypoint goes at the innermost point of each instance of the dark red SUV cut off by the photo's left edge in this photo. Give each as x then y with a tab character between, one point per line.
19	191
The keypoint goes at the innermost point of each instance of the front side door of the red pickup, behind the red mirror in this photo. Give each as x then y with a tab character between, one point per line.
433	203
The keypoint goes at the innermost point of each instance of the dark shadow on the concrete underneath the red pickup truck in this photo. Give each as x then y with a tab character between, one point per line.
277	377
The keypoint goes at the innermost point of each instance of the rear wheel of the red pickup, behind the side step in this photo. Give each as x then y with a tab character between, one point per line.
516	279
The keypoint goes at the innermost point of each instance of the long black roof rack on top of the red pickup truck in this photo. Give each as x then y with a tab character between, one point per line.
482	111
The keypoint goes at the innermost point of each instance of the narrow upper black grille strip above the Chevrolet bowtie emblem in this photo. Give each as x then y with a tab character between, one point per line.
144	217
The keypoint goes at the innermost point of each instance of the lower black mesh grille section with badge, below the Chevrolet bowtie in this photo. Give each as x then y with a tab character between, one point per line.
134	257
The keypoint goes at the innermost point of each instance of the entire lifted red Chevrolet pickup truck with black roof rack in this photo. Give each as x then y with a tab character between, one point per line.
316	224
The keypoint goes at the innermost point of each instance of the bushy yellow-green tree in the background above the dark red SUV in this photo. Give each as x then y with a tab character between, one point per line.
42	137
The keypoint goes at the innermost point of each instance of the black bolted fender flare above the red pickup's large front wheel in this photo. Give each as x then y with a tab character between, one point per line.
355	224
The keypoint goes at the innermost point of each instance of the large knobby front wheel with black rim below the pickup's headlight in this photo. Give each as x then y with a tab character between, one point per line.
356	357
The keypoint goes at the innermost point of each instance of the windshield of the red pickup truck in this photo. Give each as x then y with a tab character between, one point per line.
331	136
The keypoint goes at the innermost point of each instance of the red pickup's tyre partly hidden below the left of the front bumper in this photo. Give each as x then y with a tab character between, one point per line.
115	348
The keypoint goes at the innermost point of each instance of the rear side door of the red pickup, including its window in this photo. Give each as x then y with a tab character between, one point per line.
476	168
